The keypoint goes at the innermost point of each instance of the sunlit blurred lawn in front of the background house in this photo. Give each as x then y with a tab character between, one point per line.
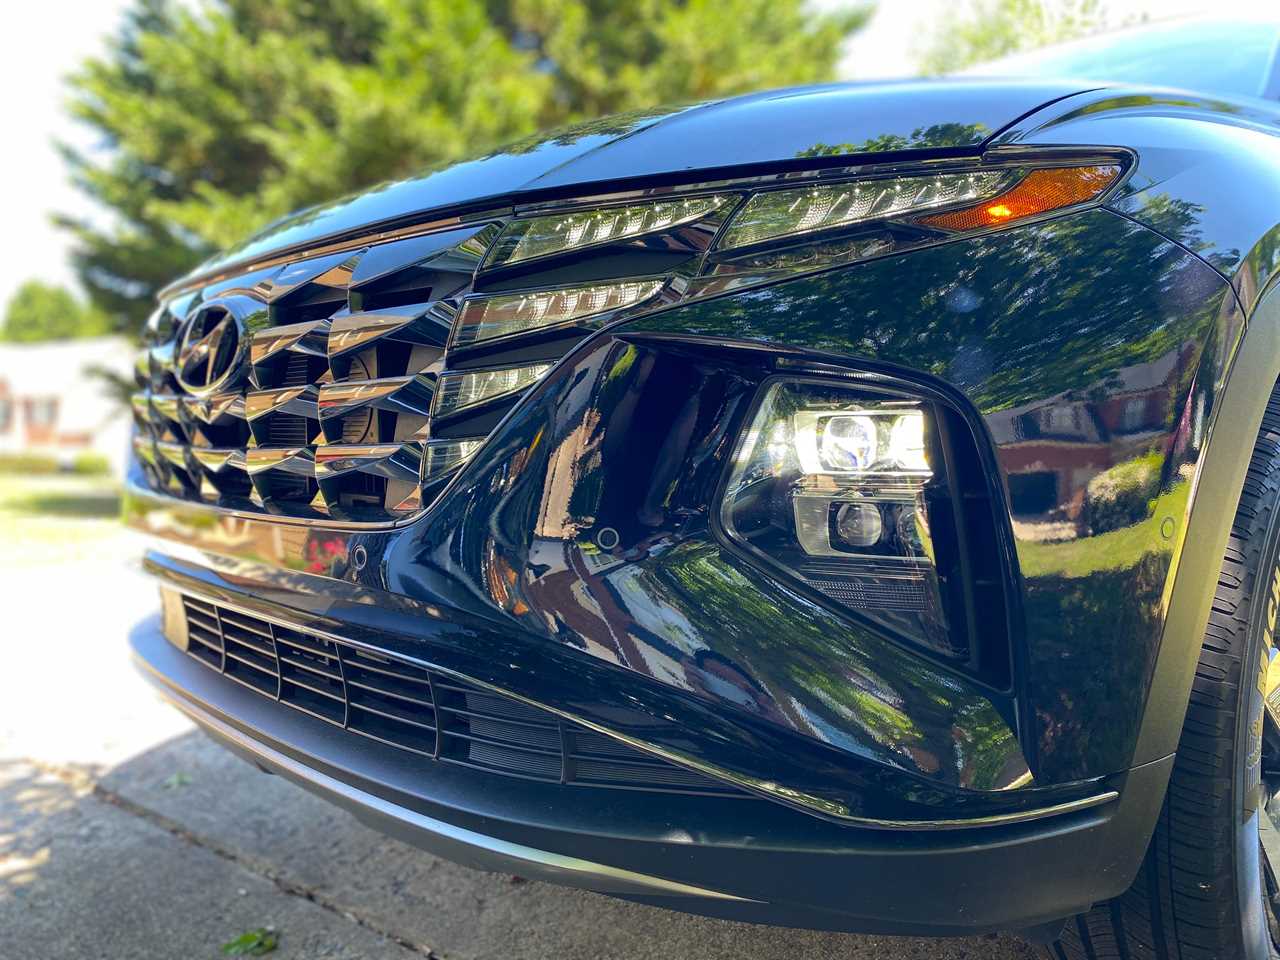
58	519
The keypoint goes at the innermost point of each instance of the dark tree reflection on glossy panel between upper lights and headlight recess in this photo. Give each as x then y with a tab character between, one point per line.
1052	308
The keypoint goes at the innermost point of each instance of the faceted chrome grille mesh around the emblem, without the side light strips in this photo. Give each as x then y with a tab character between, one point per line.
310	331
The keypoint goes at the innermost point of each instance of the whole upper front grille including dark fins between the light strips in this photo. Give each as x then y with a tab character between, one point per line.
322	406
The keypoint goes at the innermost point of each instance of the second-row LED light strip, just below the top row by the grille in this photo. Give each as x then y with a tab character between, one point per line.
509	314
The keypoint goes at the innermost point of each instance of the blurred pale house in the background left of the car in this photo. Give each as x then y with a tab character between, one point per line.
51	405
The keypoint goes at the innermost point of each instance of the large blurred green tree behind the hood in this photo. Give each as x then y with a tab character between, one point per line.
221	116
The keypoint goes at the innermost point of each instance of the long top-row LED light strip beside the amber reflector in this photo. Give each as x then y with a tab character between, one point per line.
830	205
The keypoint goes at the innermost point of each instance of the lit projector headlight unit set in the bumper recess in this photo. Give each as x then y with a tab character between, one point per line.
840	488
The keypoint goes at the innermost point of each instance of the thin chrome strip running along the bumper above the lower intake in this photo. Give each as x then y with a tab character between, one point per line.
771	792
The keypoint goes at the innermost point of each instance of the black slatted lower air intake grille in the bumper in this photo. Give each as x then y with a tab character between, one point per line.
419	711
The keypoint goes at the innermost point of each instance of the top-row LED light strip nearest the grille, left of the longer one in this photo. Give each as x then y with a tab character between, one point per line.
545	236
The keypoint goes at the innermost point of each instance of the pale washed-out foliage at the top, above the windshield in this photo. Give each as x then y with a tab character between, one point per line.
985	30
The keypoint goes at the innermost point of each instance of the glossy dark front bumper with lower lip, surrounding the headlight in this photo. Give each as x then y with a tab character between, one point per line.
506	584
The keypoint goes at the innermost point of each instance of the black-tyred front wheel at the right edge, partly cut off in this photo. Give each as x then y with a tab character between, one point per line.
1208	888
